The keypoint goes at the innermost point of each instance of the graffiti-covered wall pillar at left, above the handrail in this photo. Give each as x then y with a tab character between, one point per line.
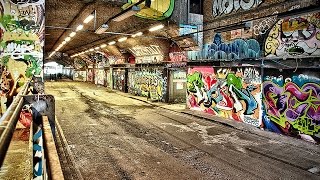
22	41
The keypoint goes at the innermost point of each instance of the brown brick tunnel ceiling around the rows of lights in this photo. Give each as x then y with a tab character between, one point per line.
63	17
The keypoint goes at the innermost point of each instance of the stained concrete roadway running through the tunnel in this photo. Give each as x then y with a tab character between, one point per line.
113	135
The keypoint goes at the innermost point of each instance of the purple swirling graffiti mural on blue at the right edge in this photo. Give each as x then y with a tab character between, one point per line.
292	105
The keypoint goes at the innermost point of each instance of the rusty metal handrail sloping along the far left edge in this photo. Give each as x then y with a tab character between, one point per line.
9	120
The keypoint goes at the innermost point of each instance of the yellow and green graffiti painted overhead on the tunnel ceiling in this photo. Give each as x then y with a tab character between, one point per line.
153	9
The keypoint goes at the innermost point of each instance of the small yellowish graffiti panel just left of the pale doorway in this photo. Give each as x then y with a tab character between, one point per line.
148	83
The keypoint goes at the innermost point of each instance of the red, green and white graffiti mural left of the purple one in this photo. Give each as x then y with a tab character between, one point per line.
227	92
